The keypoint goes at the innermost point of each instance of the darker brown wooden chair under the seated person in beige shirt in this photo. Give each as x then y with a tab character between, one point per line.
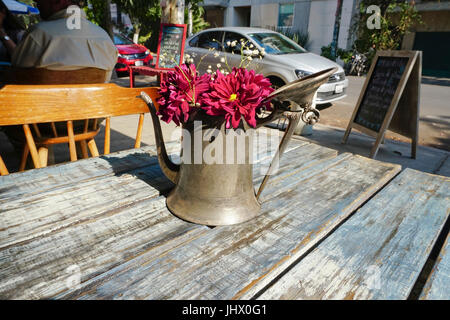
41	76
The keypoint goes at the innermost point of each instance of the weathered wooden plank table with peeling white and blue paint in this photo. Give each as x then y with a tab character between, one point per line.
331	227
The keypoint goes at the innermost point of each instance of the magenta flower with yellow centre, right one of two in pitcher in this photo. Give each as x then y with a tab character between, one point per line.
238	94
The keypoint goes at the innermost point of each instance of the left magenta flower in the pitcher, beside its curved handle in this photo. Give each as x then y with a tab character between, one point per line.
180	92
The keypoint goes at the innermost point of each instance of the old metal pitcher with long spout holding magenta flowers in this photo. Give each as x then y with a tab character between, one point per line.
216	194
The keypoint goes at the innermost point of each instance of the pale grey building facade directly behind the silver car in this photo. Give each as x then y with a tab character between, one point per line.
315	17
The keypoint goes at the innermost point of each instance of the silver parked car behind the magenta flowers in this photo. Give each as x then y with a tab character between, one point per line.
284	61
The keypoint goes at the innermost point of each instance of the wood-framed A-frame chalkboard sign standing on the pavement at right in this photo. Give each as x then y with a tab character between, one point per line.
390	93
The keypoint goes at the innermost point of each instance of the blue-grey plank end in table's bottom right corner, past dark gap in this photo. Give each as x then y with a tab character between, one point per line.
437	286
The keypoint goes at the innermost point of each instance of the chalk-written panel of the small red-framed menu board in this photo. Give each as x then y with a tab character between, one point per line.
171	46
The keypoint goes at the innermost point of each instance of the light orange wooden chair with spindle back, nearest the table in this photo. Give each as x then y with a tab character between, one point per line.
20	104
